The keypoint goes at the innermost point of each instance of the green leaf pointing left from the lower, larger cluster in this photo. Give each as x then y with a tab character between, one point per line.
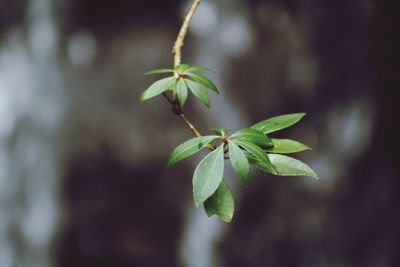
189	148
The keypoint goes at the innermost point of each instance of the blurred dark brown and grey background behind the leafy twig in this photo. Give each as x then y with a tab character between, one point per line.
82	162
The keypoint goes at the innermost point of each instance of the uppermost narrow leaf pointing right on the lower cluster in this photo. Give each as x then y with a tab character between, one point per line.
278	123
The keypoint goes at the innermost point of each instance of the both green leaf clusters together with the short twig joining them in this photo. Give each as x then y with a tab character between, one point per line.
243	148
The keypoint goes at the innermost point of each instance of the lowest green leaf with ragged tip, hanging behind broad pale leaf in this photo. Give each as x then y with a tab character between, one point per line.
221	203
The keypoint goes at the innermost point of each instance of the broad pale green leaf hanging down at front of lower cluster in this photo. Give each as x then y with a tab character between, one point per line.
208	175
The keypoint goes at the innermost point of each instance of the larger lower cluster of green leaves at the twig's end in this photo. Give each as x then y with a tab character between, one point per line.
245	147
